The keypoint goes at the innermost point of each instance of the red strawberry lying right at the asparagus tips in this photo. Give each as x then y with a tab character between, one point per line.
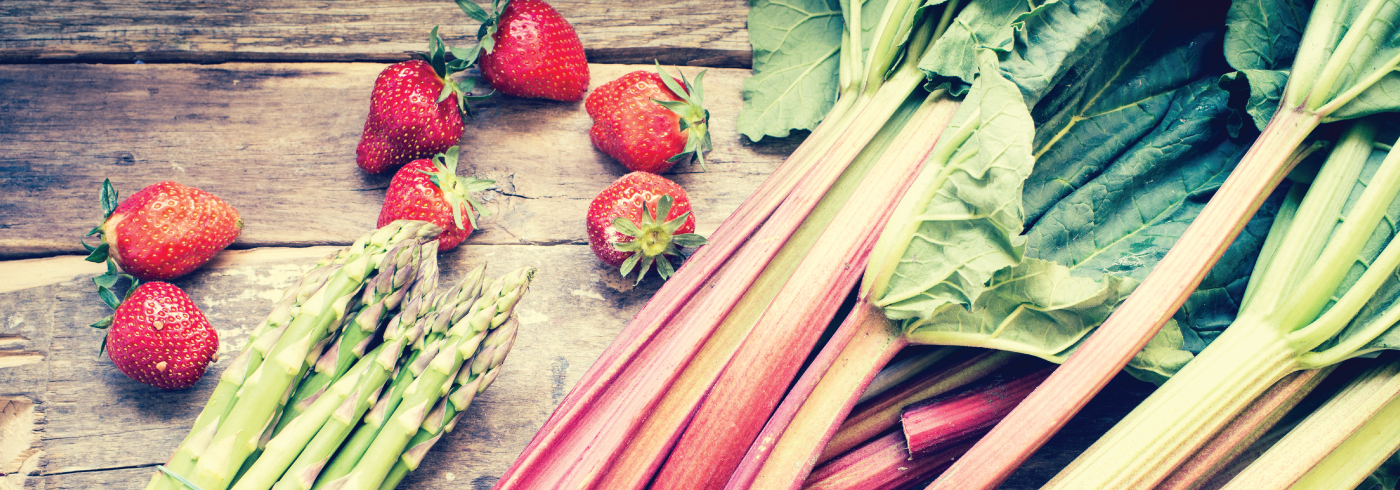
432	191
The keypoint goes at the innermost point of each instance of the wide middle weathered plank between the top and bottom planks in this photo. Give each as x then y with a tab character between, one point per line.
278	142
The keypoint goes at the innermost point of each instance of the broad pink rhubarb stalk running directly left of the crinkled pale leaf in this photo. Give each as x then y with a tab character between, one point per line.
741	402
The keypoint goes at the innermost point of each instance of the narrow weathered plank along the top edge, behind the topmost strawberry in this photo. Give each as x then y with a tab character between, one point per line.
677	33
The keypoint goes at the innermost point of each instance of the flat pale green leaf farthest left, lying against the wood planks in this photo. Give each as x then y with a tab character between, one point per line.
796	61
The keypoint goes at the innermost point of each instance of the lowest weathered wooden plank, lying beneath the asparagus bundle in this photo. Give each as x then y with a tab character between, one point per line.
94	415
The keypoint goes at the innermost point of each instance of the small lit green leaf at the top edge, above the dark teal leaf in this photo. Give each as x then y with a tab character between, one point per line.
1055	36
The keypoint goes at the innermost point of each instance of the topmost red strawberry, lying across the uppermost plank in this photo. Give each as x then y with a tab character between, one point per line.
530	51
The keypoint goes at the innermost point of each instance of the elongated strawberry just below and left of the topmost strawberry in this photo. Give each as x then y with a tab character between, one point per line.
416	108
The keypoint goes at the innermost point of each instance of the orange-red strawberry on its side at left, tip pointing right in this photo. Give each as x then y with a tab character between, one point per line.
163	232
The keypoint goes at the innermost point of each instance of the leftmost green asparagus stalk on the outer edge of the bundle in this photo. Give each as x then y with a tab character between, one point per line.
260	342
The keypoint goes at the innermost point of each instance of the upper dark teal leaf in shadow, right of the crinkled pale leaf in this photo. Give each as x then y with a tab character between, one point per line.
1109	103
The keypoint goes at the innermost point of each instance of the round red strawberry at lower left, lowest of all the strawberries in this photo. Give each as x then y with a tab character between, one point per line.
159	337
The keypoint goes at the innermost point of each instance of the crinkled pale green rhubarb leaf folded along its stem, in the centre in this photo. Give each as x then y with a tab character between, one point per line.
961	220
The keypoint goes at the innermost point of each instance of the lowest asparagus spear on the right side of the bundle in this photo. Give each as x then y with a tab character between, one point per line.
472	380
